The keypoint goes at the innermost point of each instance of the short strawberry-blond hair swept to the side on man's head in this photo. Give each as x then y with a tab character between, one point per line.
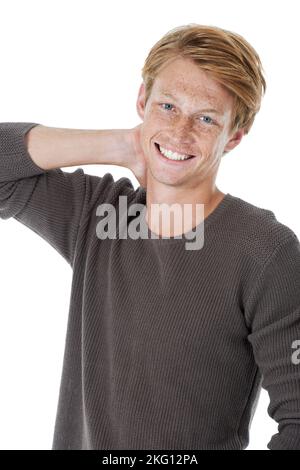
228	58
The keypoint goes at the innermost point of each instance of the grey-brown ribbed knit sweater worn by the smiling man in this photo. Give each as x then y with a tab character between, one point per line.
166	348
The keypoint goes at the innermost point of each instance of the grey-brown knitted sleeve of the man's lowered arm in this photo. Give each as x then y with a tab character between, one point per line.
273	309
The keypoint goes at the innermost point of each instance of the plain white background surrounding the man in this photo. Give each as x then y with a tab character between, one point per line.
77	64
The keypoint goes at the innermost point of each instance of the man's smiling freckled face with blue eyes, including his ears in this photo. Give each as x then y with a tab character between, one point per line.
185	122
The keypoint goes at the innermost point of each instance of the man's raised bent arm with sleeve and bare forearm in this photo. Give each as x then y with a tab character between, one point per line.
36	192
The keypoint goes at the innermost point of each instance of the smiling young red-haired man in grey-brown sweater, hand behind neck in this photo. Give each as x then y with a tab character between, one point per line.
166	348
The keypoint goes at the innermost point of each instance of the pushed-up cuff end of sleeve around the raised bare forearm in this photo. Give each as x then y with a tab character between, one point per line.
15	160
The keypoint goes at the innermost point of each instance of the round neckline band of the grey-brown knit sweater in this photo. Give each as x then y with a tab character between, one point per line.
208	223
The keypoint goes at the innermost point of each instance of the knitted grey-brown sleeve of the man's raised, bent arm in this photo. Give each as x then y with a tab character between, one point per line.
52	203
